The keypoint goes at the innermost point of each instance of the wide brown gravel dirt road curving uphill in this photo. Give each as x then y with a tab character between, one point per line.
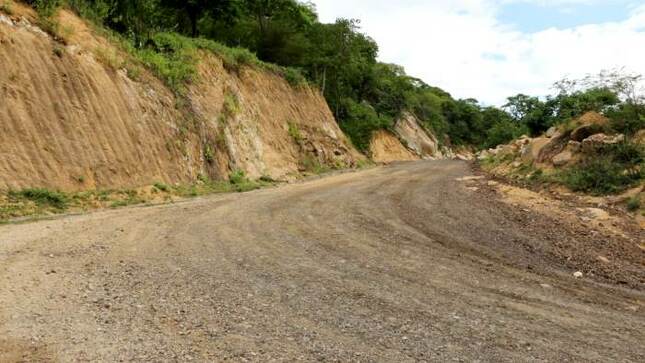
393	264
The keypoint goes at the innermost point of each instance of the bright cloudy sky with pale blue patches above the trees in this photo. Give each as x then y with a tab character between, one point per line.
493	49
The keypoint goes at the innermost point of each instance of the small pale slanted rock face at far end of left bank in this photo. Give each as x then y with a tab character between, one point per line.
417	139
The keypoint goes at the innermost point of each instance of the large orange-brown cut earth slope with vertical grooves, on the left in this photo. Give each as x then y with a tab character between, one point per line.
77	113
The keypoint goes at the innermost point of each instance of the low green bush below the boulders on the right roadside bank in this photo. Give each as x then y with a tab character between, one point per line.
612	169
